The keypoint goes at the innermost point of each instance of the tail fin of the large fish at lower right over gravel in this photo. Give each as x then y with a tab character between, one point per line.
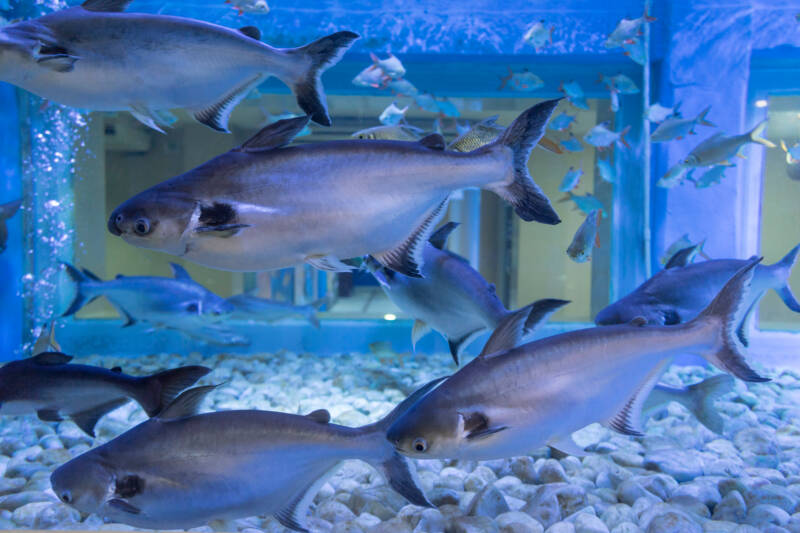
723	315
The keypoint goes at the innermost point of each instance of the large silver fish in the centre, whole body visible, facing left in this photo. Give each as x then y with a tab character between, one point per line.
265	206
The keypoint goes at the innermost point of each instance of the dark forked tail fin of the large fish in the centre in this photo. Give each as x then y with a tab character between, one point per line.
522	192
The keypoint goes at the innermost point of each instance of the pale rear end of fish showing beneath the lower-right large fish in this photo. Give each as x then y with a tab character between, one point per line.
699	399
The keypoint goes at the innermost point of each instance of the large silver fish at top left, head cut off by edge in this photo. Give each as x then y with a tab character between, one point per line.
96	57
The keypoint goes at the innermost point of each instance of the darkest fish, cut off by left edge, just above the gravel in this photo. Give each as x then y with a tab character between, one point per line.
46	384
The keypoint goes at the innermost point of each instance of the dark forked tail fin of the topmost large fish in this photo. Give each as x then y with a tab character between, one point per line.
322	54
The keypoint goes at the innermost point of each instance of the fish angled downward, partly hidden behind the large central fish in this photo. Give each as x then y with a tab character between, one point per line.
451	297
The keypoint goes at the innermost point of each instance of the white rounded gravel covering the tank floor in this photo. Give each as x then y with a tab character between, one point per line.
679	477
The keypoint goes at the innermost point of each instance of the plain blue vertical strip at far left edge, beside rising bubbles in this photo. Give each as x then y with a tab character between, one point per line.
11	308
